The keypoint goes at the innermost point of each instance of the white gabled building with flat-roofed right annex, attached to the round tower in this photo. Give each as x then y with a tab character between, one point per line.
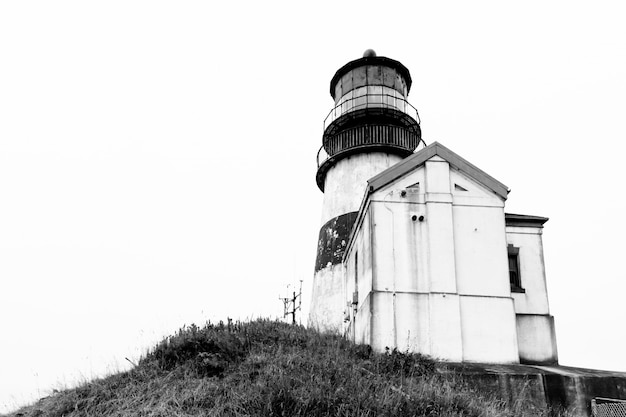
434	265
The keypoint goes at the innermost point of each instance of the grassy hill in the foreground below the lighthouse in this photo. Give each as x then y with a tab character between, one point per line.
268	368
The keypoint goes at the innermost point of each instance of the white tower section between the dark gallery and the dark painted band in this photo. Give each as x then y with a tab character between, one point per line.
346	181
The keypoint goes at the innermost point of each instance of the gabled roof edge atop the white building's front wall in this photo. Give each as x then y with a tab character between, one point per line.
419	158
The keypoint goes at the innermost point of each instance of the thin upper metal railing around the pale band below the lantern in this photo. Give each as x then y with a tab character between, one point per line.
368	101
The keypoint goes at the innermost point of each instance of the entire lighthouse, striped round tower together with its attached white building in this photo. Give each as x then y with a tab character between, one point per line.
415	250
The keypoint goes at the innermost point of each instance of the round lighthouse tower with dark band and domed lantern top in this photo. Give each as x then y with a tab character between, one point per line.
371	127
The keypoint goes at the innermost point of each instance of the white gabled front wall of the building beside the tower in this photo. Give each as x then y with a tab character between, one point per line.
440	285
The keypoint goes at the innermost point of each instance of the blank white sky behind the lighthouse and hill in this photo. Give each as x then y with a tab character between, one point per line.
157	160
